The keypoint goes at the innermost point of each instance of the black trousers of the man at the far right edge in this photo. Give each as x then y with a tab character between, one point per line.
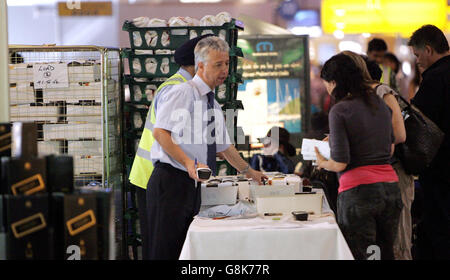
433	233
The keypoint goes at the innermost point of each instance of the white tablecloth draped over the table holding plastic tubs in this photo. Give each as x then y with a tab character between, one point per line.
262	238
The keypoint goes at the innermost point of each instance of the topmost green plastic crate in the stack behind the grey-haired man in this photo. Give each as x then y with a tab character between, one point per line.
140	37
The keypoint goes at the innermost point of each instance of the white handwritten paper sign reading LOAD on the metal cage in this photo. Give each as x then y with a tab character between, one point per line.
50	75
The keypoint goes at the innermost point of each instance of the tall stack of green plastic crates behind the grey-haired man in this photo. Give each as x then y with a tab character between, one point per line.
152	62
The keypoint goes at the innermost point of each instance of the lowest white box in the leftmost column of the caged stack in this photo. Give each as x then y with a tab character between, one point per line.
26	112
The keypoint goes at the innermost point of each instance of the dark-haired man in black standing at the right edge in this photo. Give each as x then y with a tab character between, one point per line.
431	49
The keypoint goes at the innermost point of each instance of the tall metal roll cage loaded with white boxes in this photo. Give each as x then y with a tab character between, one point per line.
82	118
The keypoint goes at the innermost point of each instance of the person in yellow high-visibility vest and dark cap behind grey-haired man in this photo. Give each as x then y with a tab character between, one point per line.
142	166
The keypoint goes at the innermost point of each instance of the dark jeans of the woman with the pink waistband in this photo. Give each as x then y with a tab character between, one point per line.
369	215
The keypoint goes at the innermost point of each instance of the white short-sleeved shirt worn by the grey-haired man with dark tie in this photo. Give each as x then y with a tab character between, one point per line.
182	110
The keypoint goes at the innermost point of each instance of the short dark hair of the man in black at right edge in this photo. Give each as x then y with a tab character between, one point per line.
429	35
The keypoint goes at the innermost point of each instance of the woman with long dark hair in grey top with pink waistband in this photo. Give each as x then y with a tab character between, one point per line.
361	142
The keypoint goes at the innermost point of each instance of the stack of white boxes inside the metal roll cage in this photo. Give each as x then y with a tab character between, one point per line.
70	117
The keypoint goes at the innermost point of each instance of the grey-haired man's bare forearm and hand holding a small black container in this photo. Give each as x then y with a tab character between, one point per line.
164	139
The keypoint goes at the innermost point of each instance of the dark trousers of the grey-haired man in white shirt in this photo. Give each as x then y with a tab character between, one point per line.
172	202
